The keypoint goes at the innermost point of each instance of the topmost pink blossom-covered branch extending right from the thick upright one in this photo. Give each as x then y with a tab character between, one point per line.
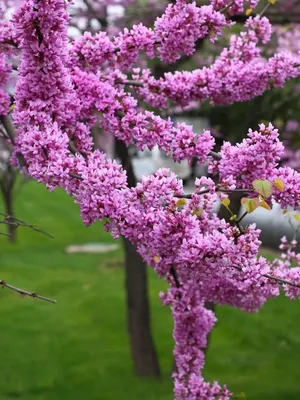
174	34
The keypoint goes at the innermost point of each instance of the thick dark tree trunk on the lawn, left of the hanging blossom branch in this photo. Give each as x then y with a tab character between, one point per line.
138	312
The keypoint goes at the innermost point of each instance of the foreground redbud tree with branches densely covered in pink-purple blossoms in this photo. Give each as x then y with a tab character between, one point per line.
64	88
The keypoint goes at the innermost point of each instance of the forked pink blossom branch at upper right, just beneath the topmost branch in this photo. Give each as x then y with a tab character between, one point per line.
240	73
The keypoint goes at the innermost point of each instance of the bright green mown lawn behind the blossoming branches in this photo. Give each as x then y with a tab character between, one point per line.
78	348
